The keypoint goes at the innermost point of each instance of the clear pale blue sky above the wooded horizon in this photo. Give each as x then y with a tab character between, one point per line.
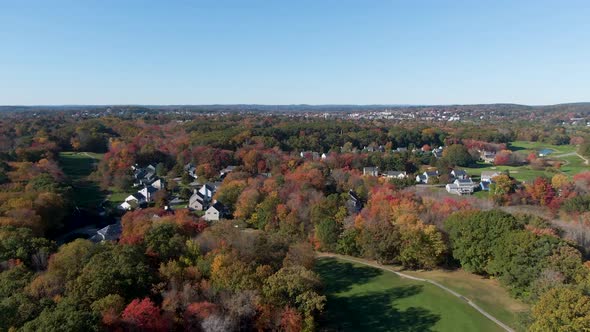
290	52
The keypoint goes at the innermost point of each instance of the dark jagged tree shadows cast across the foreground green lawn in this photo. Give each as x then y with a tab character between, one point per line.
373	311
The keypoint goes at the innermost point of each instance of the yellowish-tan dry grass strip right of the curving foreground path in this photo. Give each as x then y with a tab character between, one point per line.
486	293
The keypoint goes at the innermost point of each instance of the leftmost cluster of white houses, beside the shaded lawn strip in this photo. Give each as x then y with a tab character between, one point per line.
149	183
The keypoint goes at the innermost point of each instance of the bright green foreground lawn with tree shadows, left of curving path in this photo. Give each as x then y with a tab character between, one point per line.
362	298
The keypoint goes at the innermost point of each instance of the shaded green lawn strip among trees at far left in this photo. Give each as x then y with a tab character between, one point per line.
78	166
